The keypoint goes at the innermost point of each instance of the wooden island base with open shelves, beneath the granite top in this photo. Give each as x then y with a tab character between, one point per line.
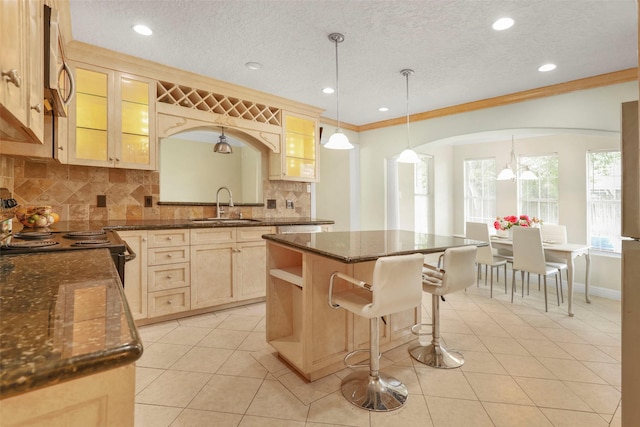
309	335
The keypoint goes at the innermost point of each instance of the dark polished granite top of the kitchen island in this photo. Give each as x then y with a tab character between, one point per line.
359	246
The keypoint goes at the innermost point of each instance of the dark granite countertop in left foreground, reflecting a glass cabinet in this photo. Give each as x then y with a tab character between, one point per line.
64	315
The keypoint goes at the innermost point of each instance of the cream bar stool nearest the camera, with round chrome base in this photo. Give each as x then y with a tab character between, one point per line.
395	287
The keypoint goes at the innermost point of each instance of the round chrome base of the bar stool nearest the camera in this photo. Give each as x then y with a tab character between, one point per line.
380	393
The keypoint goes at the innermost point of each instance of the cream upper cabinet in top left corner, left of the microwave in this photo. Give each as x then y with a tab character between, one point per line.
21	65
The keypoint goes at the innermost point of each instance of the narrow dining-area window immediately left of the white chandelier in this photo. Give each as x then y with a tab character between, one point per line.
480	190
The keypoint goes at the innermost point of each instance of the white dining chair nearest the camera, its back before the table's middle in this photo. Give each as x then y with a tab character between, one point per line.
528	257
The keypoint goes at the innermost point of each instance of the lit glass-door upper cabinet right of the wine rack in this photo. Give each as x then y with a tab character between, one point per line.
298	159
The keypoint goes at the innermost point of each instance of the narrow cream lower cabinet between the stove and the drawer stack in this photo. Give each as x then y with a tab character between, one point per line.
135	273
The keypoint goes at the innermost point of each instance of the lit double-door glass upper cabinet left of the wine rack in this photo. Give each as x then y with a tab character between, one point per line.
114	116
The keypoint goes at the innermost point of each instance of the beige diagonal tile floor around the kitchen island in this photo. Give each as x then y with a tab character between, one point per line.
524	367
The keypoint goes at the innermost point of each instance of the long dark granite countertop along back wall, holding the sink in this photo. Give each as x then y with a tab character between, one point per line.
159	224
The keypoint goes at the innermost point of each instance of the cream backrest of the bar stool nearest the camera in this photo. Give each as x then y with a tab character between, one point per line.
397	284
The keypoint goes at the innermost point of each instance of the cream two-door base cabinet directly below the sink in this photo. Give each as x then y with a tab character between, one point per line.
227	265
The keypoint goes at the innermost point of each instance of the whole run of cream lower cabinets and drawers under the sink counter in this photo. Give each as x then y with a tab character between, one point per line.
180	270
